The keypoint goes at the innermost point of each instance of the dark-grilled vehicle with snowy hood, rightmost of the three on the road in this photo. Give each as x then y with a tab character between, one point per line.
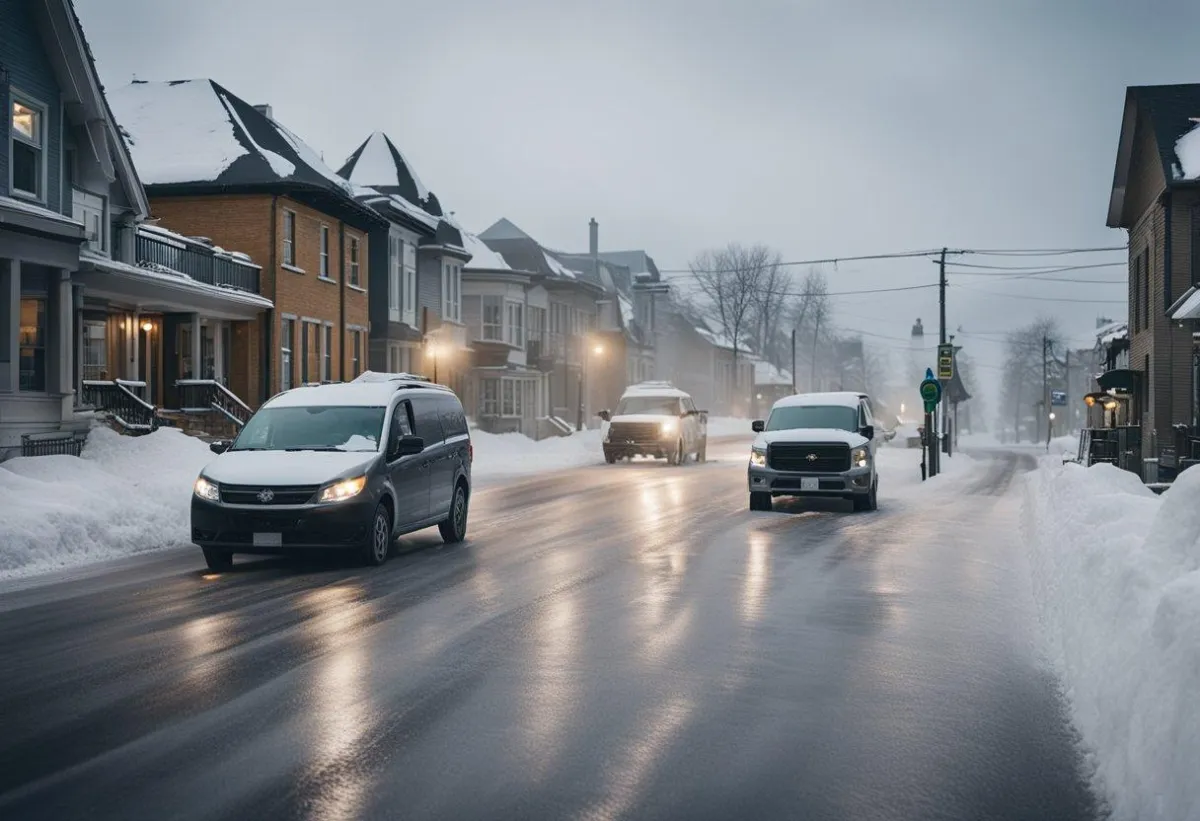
815	446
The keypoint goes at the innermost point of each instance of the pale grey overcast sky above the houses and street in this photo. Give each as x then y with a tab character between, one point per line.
823	129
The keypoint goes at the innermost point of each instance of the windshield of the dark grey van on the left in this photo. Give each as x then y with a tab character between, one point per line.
316	428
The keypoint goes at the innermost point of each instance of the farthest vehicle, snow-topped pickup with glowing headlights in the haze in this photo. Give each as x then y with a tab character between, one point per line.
656	420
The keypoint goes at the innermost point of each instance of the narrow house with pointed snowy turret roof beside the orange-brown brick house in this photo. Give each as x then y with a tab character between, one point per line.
418	262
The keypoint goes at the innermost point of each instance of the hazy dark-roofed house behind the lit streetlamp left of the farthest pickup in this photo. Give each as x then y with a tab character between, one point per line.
569	351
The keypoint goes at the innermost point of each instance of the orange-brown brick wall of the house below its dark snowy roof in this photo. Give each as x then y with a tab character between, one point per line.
243	223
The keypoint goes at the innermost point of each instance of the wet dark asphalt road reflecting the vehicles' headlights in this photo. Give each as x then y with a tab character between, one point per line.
622	642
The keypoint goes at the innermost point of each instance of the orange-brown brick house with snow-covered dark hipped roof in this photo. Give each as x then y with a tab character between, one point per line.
217	167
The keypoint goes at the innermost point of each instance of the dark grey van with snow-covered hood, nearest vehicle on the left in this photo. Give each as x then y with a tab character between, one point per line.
350	466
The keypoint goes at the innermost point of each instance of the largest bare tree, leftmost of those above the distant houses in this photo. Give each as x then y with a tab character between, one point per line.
733	281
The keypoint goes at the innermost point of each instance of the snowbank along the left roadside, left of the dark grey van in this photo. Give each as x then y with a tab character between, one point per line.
125	496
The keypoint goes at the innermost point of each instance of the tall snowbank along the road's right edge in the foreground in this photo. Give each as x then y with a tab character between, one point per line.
1117	576
